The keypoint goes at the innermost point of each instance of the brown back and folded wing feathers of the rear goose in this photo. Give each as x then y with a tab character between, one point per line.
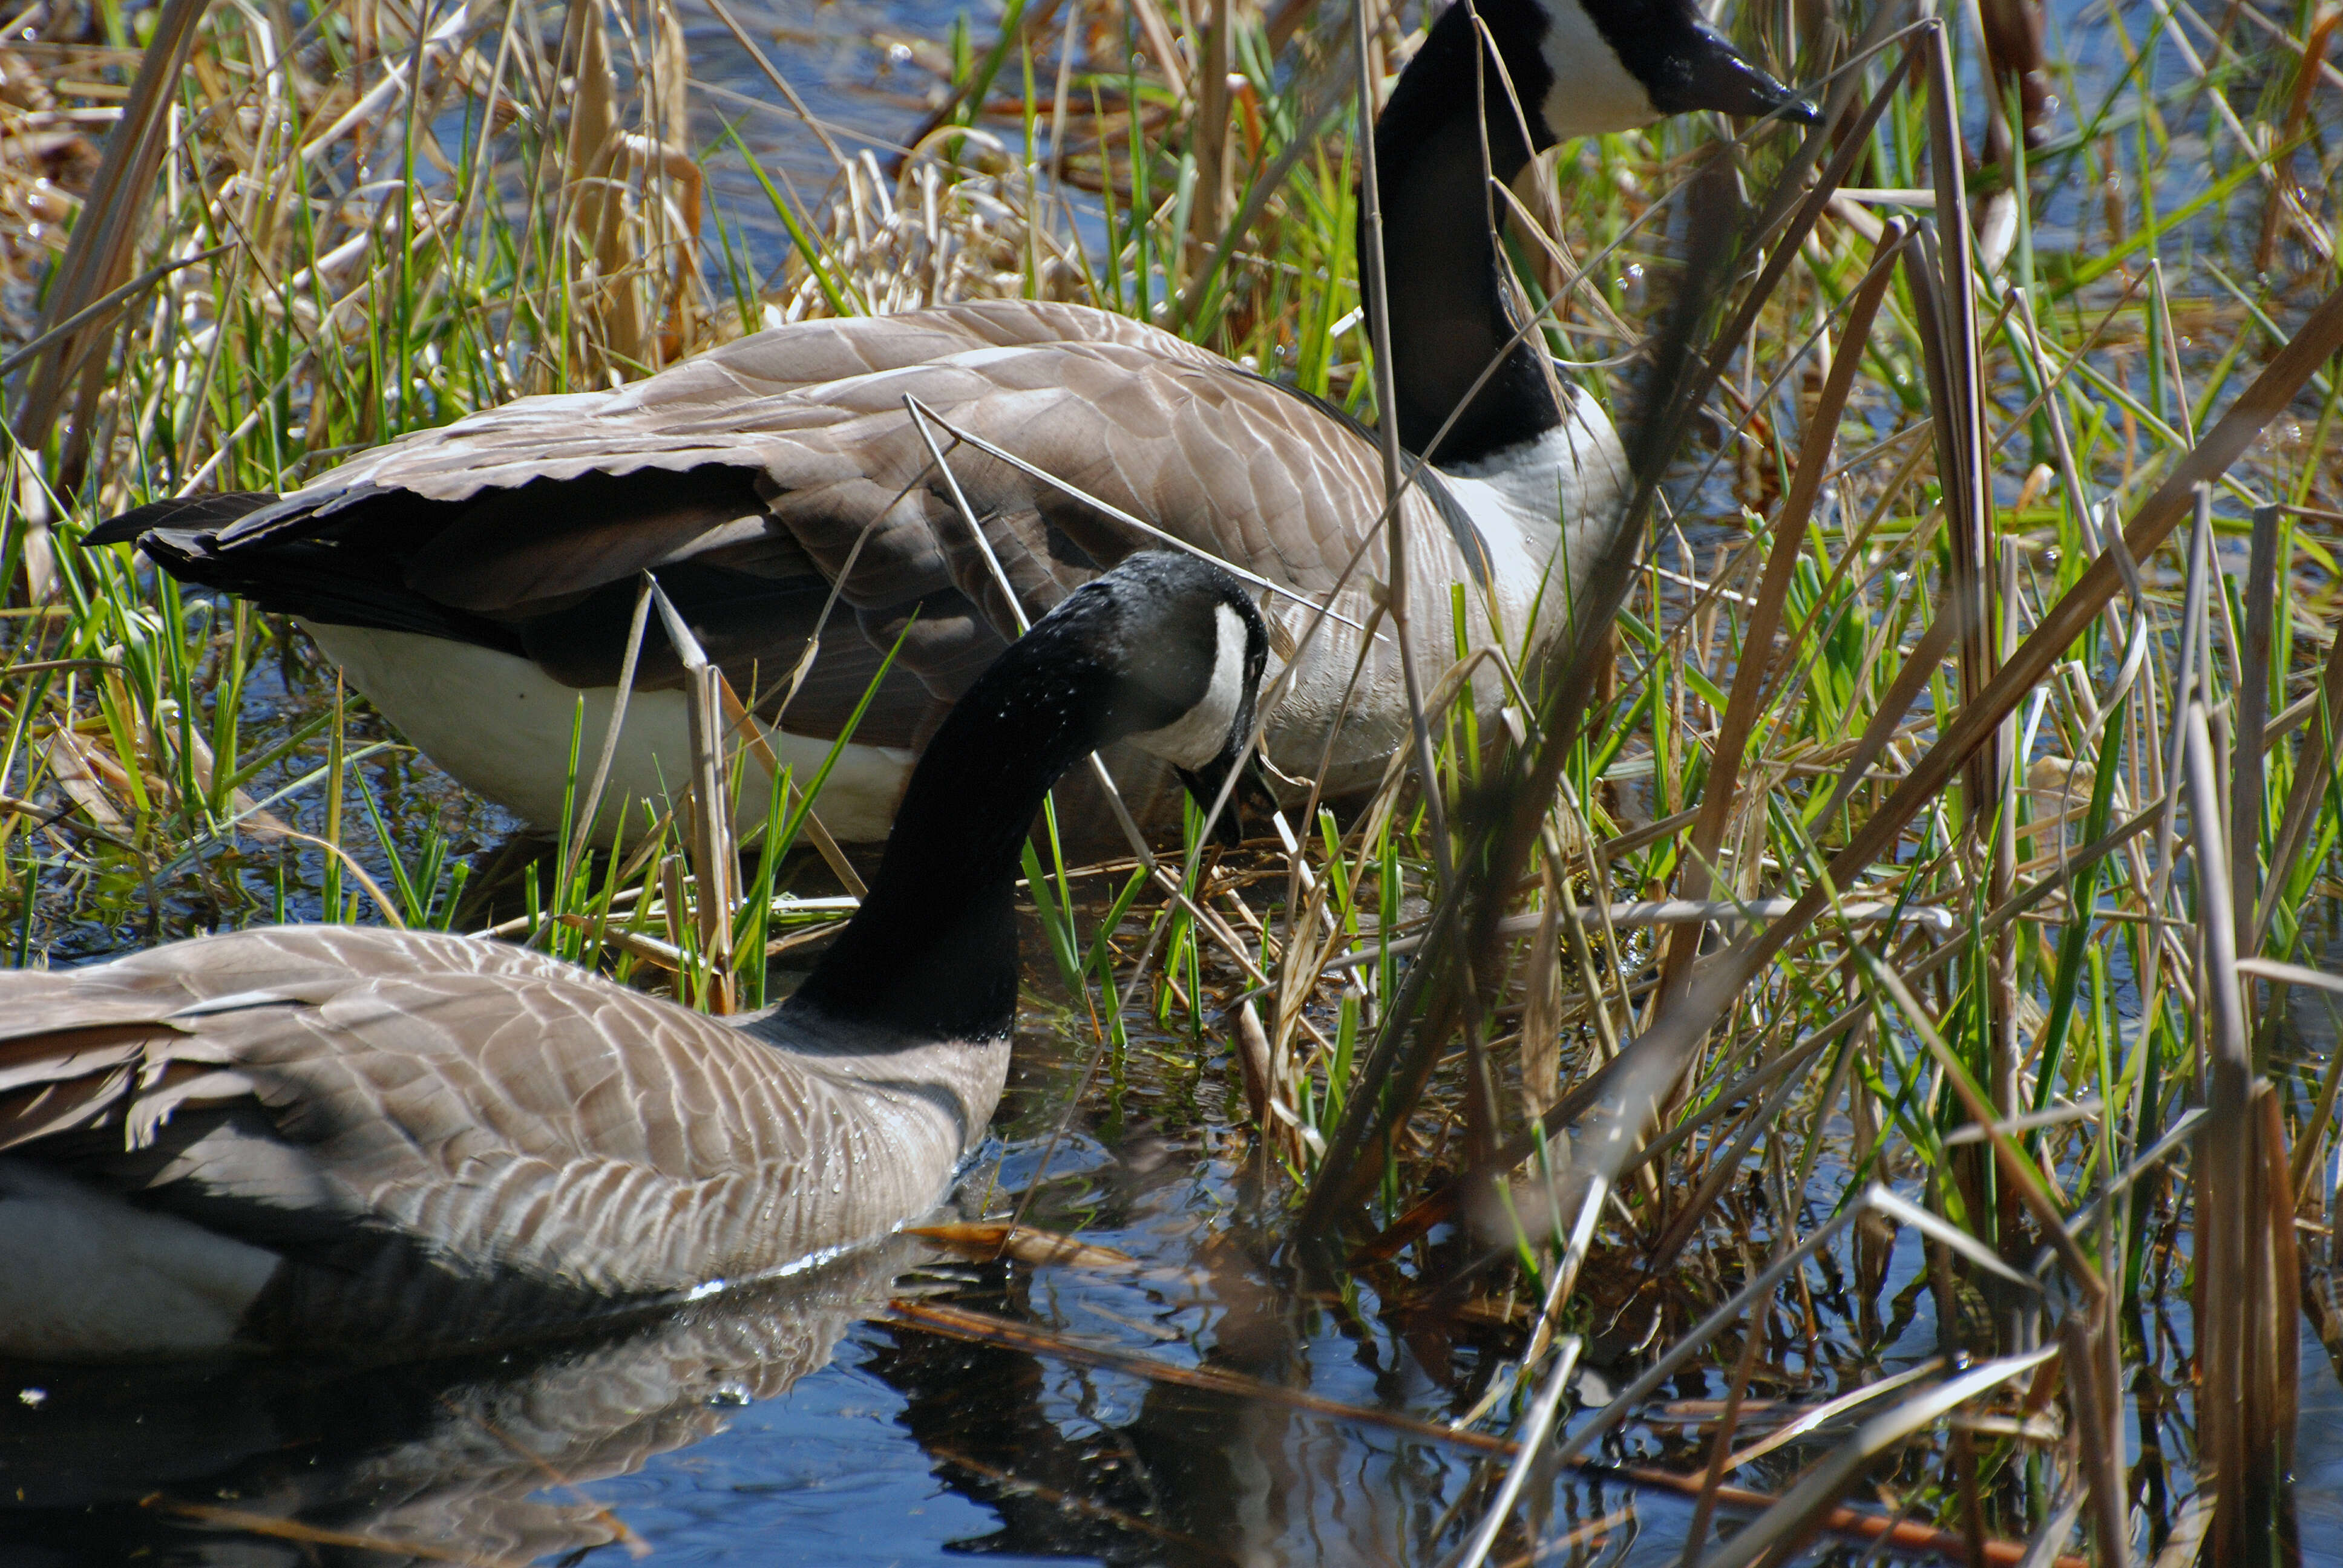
786	463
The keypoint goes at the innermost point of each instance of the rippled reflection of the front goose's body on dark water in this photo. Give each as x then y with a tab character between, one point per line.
470	1459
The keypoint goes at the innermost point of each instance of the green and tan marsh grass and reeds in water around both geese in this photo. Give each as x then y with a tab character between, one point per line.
1850	1051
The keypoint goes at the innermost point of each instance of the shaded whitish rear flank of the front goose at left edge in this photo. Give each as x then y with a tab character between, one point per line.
83	1274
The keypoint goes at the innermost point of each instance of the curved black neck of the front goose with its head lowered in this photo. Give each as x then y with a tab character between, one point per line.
934	948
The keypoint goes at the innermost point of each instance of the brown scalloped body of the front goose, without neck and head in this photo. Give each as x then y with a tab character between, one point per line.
329	1096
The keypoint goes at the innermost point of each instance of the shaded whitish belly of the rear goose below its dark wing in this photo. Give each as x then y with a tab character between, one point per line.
503	728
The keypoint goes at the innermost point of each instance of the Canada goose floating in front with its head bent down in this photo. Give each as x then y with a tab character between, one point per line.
392	1138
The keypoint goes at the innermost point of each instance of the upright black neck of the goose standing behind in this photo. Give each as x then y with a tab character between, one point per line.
1451	306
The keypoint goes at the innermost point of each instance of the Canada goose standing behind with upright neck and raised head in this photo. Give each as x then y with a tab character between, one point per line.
477	580
